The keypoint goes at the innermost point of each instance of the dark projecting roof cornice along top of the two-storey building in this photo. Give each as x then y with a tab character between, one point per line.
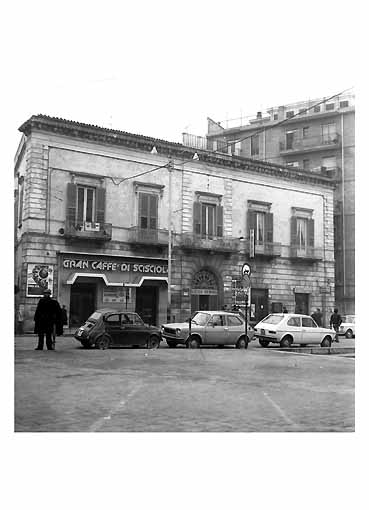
170	149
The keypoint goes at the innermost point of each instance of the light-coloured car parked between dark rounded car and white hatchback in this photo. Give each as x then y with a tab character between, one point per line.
209	328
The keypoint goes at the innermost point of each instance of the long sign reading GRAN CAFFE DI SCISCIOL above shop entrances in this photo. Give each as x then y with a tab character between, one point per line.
105	265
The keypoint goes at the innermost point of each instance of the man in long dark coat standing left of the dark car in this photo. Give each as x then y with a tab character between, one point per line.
48	321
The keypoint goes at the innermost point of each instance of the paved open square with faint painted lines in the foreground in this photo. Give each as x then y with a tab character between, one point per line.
180	390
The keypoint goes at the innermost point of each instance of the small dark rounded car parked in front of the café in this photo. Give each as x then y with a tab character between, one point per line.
110	328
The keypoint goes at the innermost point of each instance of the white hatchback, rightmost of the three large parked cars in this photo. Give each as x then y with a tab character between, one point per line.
291	328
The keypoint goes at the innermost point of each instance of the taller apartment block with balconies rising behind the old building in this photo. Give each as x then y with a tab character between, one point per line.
316	137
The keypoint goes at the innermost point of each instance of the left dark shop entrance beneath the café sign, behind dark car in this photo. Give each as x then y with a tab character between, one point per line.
82	302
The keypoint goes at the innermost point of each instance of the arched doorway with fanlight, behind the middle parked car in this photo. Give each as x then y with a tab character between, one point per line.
204	291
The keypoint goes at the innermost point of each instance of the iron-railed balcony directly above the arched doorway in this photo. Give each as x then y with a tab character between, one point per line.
193	242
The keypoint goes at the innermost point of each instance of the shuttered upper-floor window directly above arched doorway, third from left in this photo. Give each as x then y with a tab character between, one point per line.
208	215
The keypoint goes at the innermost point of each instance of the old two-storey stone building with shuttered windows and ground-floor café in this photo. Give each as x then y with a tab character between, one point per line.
106	218
